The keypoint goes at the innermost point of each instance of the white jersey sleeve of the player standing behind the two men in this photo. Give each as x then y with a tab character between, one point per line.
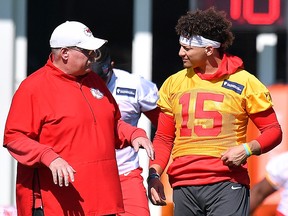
148	95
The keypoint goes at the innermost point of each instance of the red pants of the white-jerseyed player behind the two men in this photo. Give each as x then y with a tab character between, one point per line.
134	194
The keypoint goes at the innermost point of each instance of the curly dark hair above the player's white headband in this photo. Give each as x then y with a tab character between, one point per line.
210	23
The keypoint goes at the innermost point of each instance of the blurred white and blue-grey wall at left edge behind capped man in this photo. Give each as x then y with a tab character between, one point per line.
13	57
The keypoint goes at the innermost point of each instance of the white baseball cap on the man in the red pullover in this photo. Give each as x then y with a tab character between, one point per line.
73	33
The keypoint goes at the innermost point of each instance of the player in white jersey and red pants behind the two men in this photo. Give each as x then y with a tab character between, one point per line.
134	96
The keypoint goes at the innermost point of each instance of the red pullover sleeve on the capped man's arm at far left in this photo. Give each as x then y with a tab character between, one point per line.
22	130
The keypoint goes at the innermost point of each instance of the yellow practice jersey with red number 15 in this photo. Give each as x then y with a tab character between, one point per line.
211	116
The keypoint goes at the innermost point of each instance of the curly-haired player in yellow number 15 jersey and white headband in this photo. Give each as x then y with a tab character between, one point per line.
203	121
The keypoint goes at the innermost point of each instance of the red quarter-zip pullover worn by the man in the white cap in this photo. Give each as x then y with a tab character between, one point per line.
52	115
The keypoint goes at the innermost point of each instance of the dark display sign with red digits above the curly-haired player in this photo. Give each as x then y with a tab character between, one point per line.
250	13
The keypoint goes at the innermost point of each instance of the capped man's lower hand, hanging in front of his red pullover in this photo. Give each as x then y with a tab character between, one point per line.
62	172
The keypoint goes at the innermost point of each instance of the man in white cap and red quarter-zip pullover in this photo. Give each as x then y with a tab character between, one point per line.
63	127
